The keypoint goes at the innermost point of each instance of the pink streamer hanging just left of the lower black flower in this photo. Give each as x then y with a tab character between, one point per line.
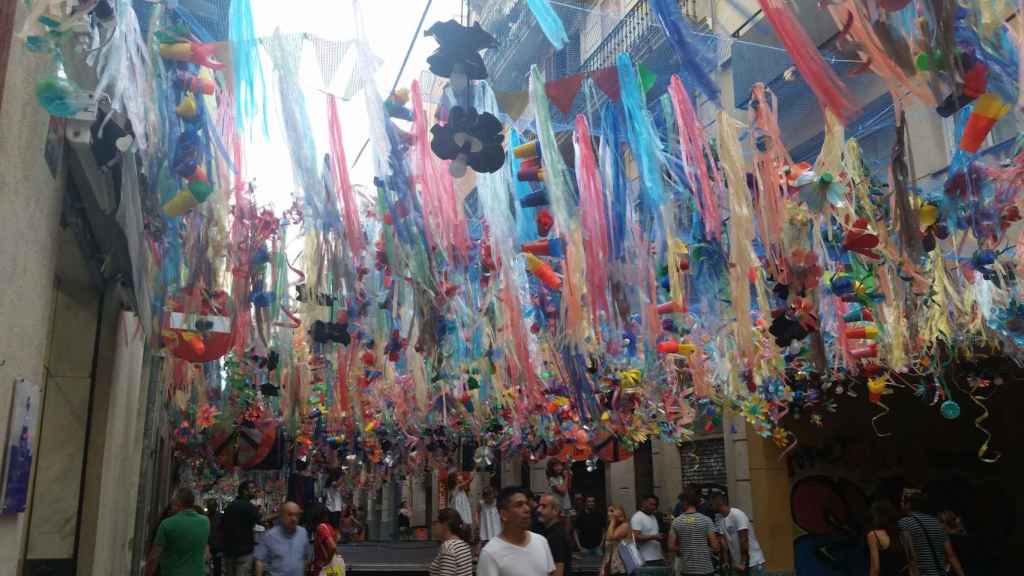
438	190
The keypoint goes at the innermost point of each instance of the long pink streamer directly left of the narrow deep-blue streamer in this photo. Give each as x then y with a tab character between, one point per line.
592	220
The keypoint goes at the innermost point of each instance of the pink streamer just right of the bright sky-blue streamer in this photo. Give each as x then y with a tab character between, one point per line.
697	152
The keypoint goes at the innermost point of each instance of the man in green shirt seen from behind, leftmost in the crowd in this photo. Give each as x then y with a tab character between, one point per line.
181	547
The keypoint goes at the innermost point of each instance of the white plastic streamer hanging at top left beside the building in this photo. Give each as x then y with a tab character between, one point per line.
126	75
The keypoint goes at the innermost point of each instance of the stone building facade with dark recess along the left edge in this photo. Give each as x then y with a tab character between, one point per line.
70	333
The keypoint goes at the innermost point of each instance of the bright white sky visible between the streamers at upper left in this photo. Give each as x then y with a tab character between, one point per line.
390	25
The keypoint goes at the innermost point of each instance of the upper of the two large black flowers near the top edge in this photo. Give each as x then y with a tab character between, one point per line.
459	50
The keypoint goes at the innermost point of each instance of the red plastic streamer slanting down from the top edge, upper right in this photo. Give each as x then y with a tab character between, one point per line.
820	76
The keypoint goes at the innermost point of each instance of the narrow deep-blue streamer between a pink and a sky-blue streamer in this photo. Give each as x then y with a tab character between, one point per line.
614	174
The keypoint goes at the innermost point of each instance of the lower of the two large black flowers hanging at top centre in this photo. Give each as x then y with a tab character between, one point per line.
470	139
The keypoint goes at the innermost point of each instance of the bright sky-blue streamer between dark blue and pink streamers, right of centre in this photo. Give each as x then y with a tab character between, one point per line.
644	140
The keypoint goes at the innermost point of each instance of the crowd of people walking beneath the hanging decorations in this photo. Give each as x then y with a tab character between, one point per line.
516	533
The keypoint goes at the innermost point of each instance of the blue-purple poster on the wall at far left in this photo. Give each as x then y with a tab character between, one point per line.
22	427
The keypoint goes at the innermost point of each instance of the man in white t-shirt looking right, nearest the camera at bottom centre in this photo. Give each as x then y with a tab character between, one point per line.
517	552
